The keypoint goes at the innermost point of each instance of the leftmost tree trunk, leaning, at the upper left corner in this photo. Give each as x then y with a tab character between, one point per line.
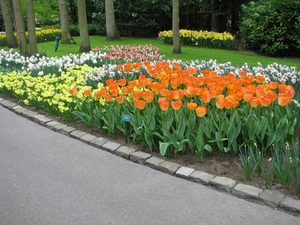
9	28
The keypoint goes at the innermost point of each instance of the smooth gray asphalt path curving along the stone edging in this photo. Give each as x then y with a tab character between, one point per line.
49	178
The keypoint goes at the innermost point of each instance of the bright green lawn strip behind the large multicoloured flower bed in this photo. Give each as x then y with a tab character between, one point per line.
189	53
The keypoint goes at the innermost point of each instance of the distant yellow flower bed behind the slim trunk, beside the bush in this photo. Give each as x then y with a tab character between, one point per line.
207	39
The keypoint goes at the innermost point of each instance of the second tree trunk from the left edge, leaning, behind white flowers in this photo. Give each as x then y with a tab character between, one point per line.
22	43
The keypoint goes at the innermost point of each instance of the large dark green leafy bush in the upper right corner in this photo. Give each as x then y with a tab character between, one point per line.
271	26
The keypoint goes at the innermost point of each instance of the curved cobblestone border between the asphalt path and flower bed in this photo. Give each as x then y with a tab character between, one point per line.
267	197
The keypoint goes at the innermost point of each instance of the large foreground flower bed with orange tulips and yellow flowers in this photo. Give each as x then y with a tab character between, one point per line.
172	106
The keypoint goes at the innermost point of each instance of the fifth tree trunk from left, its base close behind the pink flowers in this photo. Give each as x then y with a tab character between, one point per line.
83	27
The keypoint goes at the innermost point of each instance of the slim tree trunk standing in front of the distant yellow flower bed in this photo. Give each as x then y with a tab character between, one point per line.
175	27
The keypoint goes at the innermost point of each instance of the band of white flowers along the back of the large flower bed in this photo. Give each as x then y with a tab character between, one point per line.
104	67
